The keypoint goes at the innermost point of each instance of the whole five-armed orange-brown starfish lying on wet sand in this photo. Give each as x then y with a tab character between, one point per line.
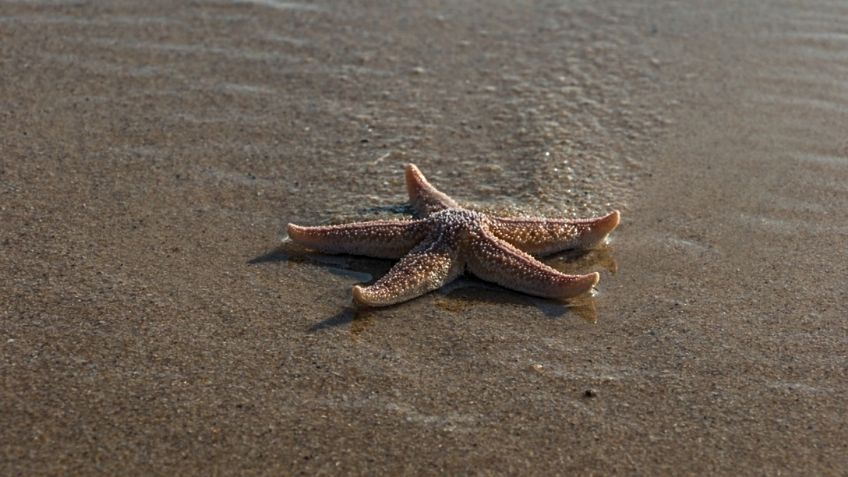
443	240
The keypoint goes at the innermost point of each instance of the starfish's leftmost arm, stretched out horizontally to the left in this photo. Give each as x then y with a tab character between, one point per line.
381	238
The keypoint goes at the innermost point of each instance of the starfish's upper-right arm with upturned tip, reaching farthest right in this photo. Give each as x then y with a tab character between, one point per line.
540	236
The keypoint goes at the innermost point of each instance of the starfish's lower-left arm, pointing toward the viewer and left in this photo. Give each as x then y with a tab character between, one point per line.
428	267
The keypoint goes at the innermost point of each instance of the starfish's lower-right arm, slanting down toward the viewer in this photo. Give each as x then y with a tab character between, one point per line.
495	260
